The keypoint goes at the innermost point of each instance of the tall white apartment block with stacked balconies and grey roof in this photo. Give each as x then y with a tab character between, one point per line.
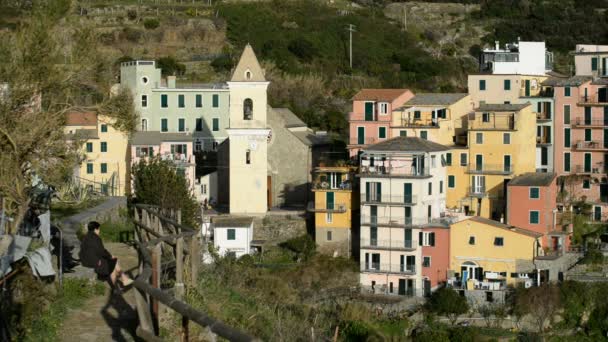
403	189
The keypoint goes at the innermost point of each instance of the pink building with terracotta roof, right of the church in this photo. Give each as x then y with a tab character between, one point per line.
370	119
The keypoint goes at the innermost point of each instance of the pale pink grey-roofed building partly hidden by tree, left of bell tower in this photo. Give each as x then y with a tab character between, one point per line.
174	147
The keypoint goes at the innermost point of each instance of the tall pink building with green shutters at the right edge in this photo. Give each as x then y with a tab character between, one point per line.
581	139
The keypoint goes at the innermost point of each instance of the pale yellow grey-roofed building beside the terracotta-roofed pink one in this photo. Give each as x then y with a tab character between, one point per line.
435	117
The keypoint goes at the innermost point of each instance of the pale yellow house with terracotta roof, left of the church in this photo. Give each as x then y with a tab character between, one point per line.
104	166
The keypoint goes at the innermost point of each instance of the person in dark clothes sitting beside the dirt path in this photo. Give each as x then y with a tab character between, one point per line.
94	255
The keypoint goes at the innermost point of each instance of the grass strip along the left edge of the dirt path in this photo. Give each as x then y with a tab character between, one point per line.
45	327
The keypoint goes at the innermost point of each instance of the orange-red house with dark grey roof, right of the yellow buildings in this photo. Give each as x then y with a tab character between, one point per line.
532	205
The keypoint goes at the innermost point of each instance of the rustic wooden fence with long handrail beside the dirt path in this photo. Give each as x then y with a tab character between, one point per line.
156	231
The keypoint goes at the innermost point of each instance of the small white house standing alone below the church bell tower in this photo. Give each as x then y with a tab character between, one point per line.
232	235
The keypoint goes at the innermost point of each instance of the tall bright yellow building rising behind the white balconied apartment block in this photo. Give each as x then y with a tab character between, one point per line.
501	144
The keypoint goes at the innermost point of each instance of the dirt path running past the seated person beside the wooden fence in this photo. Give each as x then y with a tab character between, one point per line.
108	317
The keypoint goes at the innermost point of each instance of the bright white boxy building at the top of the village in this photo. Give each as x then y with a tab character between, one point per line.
521	58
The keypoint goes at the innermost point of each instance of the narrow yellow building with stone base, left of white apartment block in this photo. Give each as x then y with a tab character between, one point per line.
332	206
